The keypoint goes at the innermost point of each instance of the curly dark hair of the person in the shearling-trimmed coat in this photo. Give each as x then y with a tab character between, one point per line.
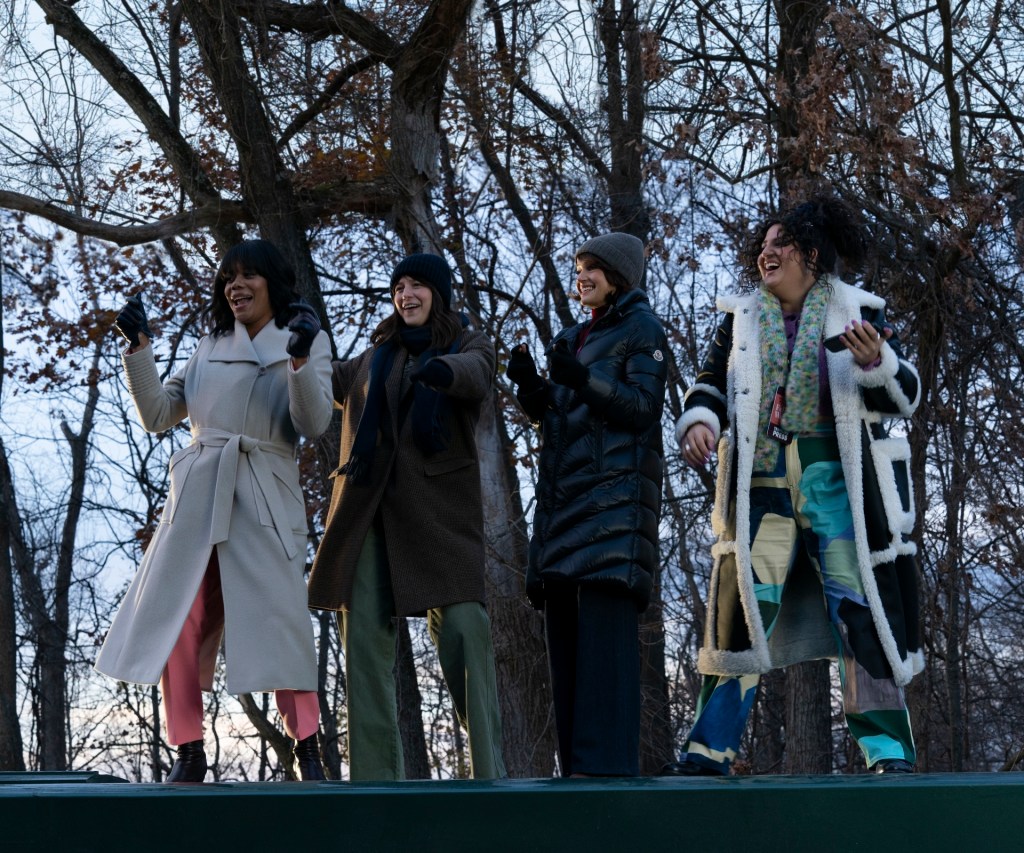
826	231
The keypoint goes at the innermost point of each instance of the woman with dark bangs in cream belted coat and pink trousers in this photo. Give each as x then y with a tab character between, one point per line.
229	555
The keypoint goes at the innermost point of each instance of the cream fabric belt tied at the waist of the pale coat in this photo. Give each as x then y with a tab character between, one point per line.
235	446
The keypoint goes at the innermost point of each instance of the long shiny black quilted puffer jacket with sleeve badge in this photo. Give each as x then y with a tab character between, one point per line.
600	494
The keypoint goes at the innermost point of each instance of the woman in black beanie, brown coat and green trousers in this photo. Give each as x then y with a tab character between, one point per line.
405	531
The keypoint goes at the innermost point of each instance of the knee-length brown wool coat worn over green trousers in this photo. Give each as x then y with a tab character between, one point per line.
431	506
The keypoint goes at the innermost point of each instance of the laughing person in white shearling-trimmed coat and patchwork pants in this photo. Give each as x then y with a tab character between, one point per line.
814	508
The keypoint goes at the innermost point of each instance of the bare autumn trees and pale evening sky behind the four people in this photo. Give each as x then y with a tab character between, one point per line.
140	140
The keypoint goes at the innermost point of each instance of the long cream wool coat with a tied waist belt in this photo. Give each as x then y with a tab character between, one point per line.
236	488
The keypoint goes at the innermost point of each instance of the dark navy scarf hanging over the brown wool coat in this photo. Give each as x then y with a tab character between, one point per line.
432	410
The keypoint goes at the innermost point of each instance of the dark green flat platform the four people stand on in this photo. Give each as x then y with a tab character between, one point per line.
968	814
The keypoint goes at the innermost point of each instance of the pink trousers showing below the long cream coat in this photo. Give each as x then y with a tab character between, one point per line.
180	685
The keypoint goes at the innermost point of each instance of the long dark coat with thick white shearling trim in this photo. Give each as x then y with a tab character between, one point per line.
876	465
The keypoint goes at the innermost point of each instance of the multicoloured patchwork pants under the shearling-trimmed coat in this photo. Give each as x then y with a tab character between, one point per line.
805	504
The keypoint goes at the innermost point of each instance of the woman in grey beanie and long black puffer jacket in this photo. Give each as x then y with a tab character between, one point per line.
594	549
